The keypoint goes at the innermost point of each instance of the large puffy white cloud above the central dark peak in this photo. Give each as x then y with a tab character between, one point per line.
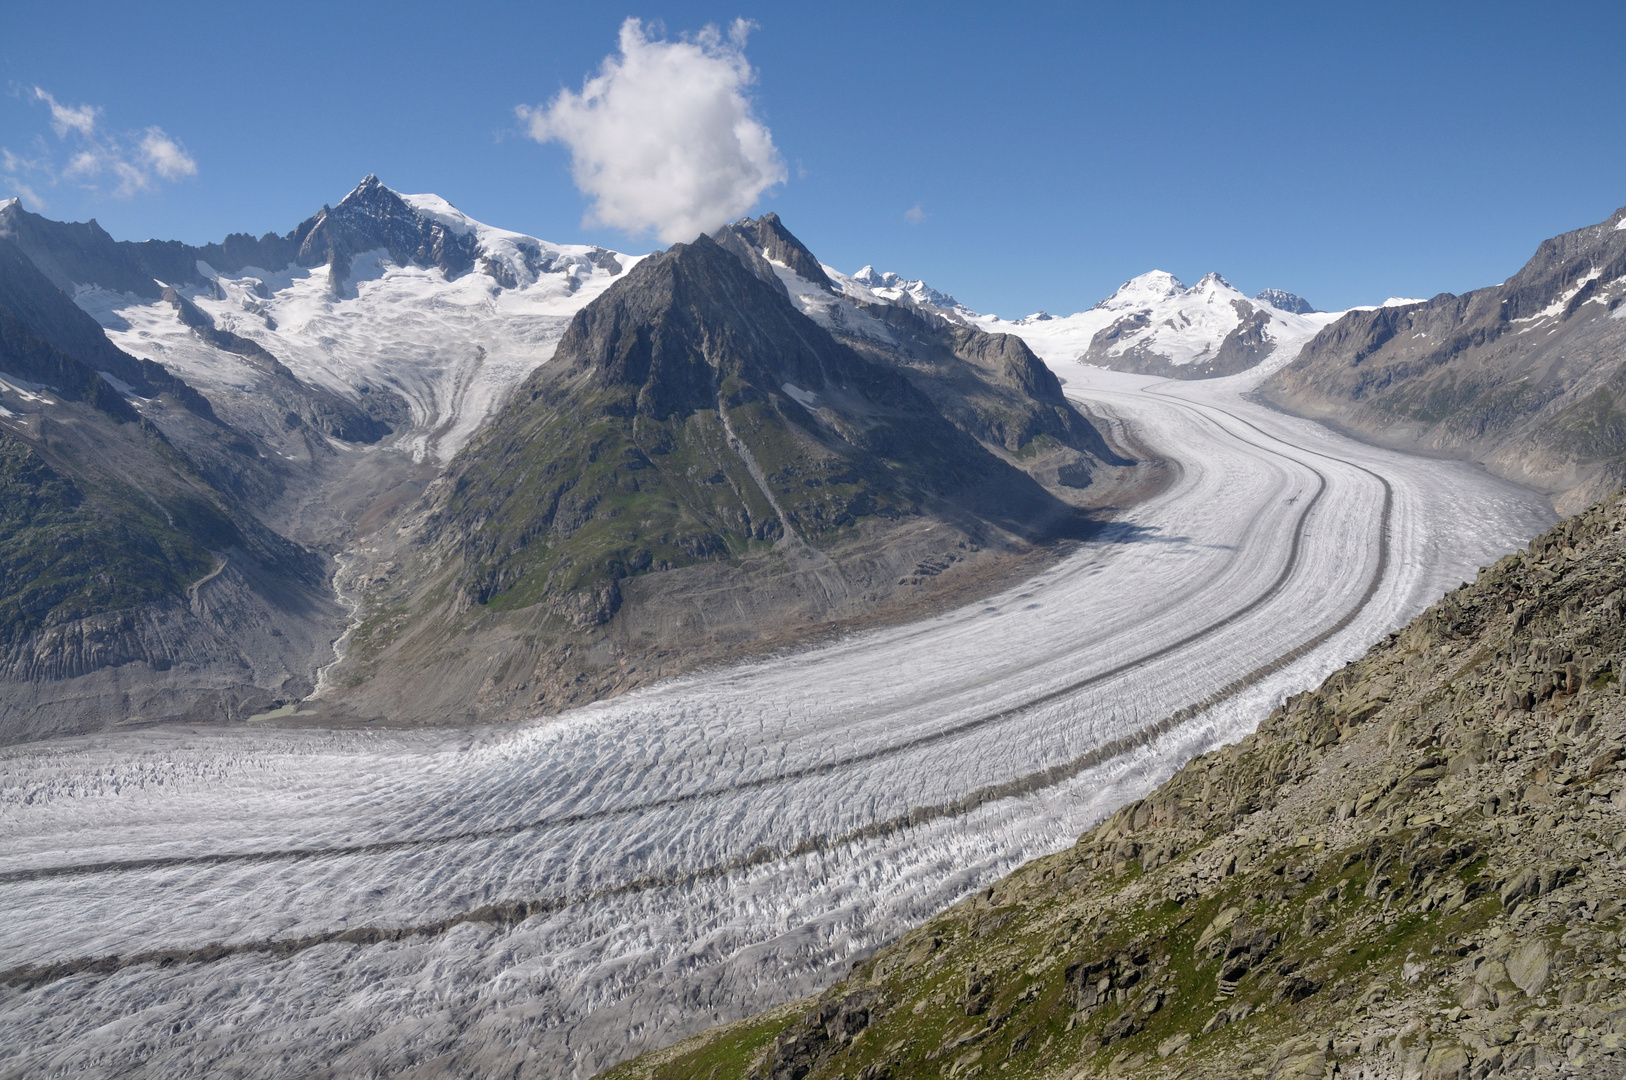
664	137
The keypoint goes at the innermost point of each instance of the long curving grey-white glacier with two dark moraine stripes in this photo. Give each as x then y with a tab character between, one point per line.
560	895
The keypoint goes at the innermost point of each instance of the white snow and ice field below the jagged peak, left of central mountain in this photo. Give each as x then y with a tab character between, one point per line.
453	347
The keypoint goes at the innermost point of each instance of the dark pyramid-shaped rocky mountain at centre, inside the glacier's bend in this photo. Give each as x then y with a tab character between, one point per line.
698	435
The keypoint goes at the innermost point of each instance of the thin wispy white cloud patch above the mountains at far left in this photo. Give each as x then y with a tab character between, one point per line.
92	157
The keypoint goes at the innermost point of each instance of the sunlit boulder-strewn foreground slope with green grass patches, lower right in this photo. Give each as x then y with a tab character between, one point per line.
1415	871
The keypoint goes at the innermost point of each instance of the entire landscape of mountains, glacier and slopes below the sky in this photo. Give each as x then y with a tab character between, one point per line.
524	656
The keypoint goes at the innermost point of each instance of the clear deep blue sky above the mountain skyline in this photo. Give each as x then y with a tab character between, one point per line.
1344	152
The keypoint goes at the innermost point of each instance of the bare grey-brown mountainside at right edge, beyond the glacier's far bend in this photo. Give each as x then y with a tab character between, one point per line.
1528	377
